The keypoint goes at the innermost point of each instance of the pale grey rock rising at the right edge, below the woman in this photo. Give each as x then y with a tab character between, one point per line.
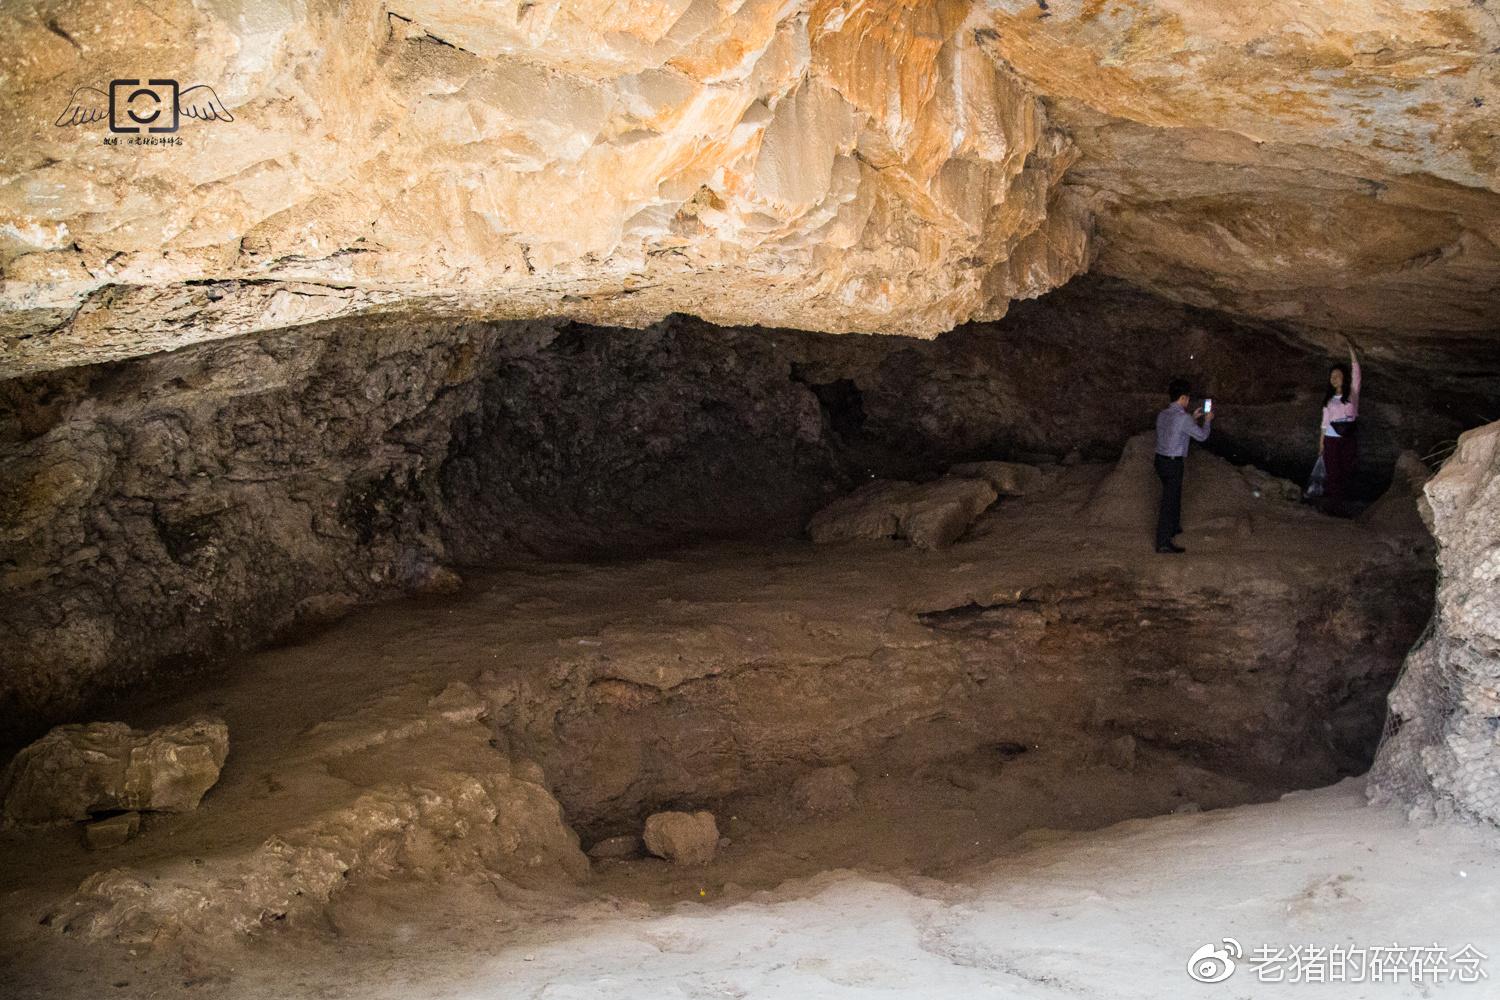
1441	750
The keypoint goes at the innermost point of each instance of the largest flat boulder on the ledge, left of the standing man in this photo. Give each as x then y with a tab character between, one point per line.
926	515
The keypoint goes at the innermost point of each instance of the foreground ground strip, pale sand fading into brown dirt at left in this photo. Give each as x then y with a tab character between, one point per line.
1111	914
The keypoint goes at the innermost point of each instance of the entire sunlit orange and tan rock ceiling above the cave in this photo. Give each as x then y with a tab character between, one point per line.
844	166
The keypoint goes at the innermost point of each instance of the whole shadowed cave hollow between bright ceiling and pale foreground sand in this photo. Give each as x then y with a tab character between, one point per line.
476	597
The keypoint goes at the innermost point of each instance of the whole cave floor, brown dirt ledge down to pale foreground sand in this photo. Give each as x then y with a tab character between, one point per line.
962	869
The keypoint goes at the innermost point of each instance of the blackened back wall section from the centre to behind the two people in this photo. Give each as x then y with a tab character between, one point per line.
613	440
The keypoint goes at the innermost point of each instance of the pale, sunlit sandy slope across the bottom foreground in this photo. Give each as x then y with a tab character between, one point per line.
1112	914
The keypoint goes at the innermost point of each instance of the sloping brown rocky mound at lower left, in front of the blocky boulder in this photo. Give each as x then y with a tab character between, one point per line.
409	782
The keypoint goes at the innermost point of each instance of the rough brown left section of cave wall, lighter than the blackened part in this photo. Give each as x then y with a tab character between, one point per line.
169	509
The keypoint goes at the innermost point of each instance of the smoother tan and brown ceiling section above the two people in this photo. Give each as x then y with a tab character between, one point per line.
1327	163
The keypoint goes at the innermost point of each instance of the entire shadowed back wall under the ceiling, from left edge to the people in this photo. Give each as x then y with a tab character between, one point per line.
166	510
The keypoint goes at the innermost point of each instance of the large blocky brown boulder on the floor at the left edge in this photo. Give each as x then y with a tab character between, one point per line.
77	771
